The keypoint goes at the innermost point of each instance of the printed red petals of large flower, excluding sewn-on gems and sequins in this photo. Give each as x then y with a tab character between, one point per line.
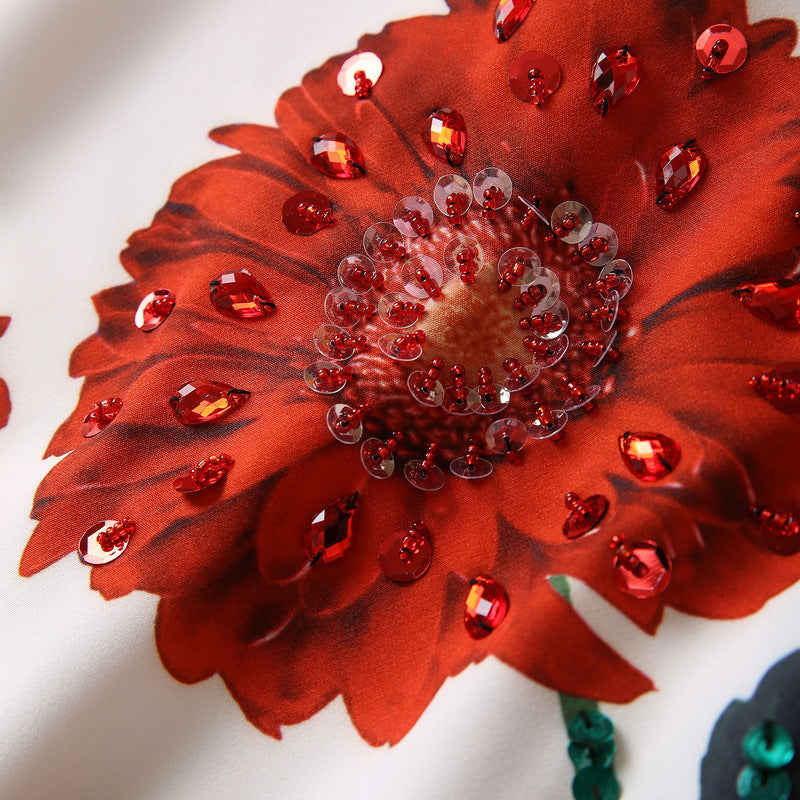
228	562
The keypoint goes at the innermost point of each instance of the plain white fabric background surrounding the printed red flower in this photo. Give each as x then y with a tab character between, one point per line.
104	103
